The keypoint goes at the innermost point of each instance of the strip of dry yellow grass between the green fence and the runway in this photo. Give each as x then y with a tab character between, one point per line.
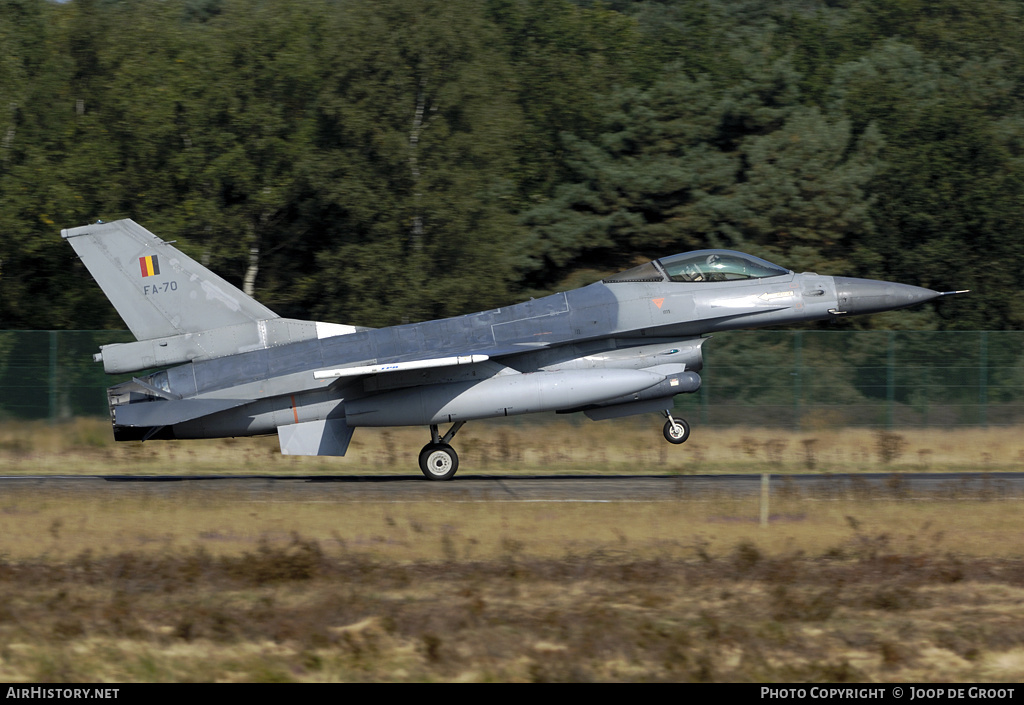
551	445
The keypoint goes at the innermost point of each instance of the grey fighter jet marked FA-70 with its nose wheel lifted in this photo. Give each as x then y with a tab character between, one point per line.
624	346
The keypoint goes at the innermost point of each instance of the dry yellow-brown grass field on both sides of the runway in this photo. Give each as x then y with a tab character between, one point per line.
199	587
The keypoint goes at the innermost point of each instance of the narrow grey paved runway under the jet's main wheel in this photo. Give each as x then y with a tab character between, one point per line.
537	488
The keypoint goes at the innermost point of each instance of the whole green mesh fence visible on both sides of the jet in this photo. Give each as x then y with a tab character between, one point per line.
795	380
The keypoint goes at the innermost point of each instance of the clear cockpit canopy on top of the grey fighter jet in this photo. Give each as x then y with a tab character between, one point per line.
702	266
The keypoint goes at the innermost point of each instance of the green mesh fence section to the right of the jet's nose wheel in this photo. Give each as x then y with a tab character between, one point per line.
814	380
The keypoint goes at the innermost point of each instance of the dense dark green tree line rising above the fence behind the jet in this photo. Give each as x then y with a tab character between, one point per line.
385	162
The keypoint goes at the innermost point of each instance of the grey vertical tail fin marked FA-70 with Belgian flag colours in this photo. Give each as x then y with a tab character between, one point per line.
158	291
